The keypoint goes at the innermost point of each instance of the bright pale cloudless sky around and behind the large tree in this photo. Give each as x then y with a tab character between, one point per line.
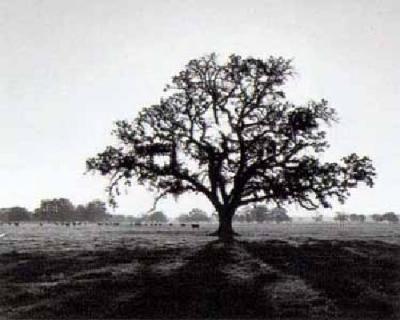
69	68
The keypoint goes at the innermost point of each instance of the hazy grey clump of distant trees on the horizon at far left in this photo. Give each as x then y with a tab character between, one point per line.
58	209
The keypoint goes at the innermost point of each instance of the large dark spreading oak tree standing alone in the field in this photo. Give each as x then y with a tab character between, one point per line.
228	132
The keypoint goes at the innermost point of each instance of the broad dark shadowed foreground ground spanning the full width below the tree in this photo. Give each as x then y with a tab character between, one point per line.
360	279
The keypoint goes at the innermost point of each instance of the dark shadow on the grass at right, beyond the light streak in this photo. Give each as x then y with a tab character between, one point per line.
362	278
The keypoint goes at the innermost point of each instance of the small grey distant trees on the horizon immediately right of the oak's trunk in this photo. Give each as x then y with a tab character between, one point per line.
261	214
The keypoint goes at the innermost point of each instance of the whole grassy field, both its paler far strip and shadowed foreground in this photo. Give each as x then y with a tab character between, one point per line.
299	271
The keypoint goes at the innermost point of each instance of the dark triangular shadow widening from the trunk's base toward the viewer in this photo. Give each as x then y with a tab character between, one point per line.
199	289
